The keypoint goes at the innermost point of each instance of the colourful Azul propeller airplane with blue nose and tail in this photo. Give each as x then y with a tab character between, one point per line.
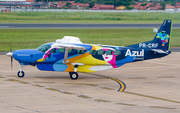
69	54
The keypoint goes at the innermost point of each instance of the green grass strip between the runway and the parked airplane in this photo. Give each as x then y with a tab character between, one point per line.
32	38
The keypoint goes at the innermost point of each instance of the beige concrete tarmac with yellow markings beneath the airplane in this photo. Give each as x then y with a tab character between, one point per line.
150	86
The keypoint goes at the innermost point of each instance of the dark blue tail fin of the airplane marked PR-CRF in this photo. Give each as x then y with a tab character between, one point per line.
161	40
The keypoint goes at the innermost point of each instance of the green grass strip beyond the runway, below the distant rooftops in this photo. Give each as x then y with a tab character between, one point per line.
87	17
